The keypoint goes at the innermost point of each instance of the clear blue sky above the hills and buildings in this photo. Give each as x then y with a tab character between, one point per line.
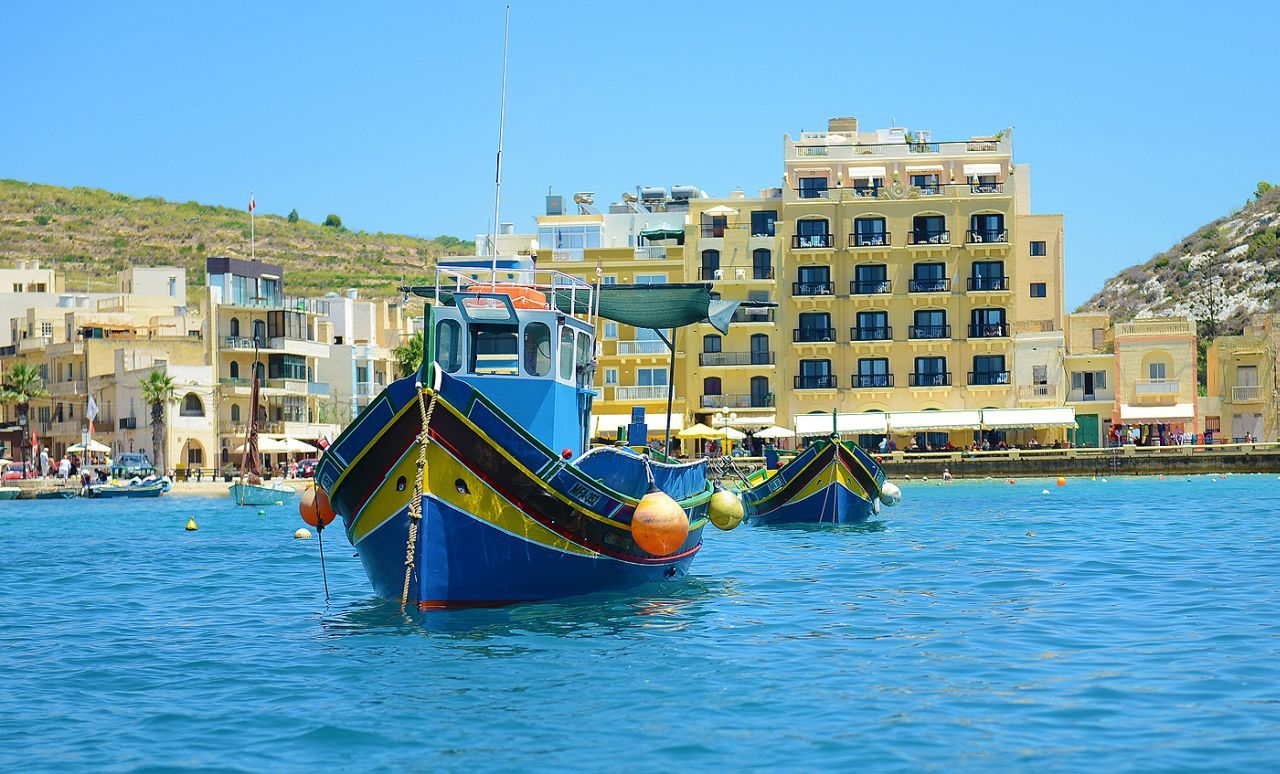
1141	122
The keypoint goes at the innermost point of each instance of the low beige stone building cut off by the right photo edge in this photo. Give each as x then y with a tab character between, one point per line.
1244	397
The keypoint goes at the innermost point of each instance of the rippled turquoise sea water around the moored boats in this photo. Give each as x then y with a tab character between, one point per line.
1119	626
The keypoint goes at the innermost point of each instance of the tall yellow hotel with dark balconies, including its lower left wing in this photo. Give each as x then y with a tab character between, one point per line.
908	274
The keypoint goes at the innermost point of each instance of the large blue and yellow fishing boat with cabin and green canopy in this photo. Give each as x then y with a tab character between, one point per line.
502	505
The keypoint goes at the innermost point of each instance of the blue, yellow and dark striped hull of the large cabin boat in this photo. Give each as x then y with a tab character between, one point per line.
493	530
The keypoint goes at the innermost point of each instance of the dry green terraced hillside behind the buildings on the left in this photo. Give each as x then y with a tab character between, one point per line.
92	235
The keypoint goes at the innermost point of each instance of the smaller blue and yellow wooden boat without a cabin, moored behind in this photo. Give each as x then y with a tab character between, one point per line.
833	483
